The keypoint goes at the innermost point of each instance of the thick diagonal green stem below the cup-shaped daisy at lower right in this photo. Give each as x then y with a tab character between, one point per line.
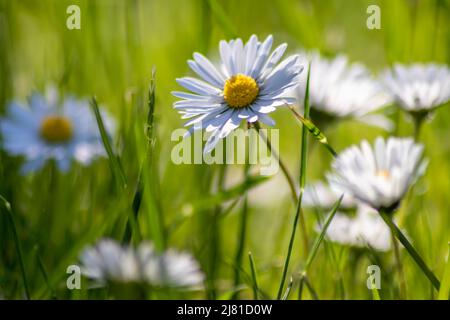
412	252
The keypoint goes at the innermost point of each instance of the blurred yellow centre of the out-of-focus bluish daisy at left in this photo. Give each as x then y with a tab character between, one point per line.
56	129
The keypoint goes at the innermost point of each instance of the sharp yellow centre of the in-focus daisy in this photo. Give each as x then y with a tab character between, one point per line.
240	91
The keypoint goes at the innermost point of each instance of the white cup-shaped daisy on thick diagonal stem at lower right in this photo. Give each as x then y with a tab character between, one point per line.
381	176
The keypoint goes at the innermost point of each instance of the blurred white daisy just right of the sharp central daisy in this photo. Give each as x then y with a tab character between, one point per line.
338	89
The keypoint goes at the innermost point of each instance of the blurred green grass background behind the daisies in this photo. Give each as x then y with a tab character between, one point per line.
112	57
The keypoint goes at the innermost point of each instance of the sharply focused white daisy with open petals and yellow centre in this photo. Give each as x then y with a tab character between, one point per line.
248	84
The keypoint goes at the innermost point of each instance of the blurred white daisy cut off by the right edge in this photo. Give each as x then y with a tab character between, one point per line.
418	87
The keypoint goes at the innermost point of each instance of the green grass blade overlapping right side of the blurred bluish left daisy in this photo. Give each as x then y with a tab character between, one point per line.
116	167
